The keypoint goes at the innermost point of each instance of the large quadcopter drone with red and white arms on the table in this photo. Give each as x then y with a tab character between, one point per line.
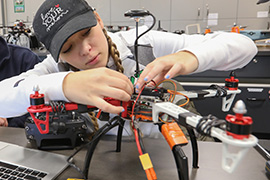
66	120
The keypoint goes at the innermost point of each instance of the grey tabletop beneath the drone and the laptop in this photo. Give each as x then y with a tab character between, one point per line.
108	164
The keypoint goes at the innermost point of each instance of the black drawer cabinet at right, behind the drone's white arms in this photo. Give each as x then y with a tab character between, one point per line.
254	82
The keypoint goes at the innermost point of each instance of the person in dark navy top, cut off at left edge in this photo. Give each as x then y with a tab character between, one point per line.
14	60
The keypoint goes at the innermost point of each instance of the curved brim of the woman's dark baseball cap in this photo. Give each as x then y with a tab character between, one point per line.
76	24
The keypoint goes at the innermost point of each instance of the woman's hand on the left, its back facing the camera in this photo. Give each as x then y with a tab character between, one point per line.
90	87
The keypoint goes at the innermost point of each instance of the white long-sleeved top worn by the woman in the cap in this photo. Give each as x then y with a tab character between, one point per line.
217	51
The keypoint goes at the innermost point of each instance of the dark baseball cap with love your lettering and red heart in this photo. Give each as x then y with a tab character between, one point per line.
57	20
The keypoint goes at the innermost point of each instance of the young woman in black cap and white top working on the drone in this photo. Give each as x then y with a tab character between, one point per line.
87	63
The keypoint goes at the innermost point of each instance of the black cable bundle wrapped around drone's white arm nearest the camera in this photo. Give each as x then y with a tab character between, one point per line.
207	122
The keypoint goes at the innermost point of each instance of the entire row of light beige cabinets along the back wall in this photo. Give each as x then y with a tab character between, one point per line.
173	14
